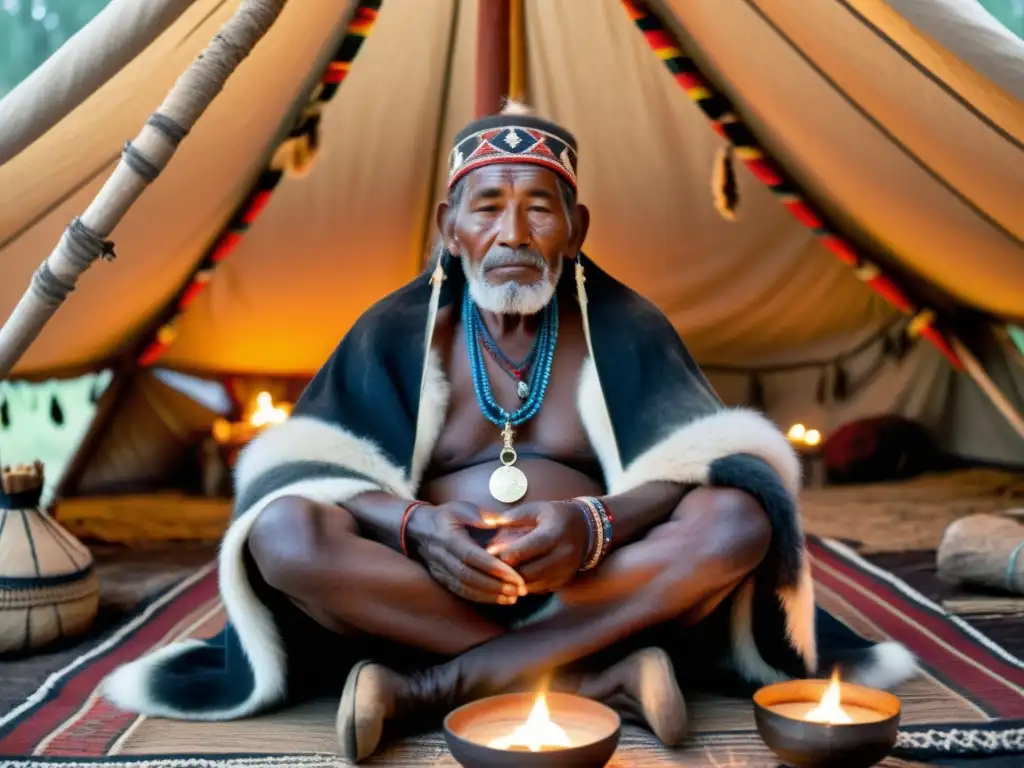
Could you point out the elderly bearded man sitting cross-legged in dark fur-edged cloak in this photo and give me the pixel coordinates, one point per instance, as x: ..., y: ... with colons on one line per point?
x: 510, y: 475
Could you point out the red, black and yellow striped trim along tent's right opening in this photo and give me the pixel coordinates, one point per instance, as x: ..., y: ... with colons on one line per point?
x: 728, y: 123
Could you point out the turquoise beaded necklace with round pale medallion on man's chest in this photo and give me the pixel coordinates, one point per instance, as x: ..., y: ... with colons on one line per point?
x: 508, y: 484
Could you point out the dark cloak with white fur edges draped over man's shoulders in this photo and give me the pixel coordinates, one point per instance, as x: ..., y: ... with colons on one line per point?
x: 370, y: 420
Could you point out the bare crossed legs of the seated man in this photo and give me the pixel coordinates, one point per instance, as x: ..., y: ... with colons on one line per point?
x: 678, y: 573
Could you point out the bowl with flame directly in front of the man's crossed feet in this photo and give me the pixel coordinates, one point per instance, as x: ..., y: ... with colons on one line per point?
x: 533, y: 731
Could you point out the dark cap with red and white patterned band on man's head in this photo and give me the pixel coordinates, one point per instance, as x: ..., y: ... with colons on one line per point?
x: 514, y: 139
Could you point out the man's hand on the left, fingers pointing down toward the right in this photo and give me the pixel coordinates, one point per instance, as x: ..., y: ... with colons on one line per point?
x: 440, y: 537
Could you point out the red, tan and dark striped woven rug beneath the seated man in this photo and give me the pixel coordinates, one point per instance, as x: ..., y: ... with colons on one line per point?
x: 969, y: 702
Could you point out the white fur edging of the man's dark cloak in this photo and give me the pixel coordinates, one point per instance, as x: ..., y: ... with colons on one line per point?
x: 298, y: 457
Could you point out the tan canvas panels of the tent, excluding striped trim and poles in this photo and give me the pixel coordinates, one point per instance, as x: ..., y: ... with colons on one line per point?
x: 908, y: 133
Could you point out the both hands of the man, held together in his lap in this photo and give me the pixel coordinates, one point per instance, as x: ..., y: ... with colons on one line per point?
x: 535, y: 548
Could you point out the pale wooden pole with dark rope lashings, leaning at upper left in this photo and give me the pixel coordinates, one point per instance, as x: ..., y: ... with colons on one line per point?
x: 143, y: 161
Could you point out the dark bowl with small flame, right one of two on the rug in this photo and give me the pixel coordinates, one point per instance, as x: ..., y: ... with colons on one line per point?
x: 813, y: 723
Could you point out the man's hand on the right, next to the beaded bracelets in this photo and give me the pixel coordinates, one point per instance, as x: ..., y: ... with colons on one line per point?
x: 552, y: 547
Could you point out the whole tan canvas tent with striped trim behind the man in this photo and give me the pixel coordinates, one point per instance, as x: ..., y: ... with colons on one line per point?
x: 875, y: 263
